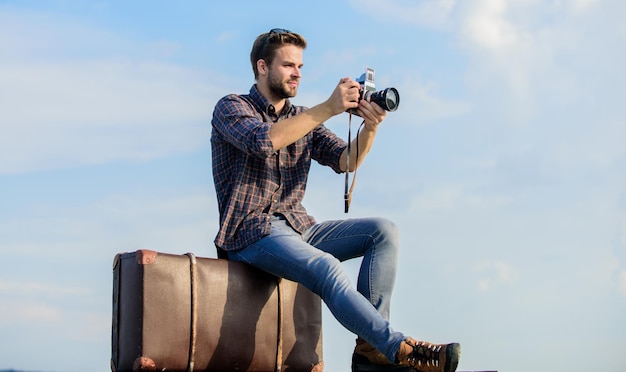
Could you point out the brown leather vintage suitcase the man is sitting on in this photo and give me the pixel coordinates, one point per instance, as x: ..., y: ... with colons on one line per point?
x: 183, y: 313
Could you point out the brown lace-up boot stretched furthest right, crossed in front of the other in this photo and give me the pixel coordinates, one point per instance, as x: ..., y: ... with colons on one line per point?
x: 426, y: 357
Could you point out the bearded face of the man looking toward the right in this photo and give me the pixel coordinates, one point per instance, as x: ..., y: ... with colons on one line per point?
x: 283, y: 76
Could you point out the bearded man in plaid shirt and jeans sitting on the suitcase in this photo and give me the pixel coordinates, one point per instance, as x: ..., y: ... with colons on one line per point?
x: 262, y: 147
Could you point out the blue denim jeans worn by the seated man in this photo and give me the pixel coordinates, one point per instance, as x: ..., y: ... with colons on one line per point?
x: 314, y: 260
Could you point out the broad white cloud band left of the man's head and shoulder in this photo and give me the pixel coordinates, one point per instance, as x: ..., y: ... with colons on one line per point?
x: 73, y: 113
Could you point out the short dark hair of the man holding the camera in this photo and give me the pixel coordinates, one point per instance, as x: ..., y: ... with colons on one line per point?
x: 266, y: 44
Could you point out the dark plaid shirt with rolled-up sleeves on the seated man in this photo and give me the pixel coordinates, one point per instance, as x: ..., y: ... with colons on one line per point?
x: 252, y: 181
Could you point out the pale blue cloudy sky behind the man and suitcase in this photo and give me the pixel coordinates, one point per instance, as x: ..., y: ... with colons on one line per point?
x: 504, y: 167
